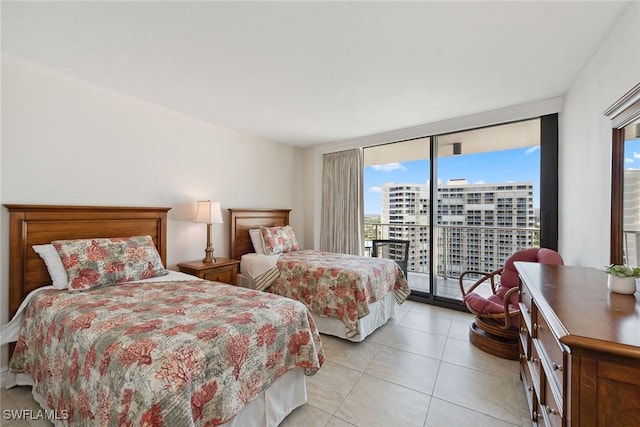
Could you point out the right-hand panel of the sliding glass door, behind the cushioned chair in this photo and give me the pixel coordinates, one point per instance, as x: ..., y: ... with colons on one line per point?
x: 488, y: 190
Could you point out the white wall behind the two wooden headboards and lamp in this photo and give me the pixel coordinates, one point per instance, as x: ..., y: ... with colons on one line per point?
x: 68, y: 142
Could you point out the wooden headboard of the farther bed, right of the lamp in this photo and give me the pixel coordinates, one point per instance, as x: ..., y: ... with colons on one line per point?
x: 244, y: 219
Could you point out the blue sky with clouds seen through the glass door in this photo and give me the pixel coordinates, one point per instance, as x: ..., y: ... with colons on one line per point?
x: 517, y: 165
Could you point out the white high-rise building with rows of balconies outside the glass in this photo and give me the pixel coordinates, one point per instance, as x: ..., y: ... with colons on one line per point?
x: 478, y: 225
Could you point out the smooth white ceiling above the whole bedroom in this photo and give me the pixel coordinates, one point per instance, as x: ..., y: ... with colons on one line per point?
x: 307, y: 73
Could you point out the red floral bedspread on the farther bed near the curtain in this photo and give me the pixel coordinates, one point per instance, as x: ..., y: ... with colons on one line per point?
x: 338, y: 285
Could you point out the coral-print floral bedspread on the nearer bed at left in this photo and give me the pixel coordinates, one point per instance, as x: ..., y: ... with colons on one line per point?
x: 164, y: 353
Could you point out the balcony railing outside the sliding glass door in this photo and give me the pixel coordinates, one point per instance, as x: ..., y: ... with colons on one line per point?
x: 458, y: 249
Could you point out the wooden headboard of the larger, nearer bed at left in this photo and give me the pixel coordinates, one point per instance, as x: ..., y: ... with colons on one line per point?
x: 40, y: 224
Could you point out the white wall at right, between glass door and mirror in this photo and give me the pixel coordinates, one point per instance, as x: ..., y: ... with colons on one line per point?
x: 585, y: 144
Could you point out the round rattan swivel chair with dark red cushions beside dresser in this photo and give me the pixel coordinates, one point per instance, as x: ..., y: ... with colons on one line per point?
x: 496, y: 326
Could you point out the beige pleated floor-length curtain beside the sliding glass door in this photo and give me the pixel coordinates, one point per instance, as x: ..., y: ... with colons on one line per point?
x: 342, y: 226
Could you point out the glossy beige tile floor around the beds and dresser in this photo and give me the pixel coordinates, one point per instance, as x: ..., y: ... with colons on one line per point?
x: 417, y: 370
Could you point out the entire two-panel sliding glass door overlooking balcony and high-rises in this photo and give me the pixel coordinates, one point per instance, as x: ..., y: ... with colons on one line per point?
x: 470, y: 209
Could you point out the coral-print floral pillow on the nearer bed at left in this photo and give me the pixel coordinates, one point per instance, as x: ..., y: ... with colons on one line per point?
x: 97, y: 262
